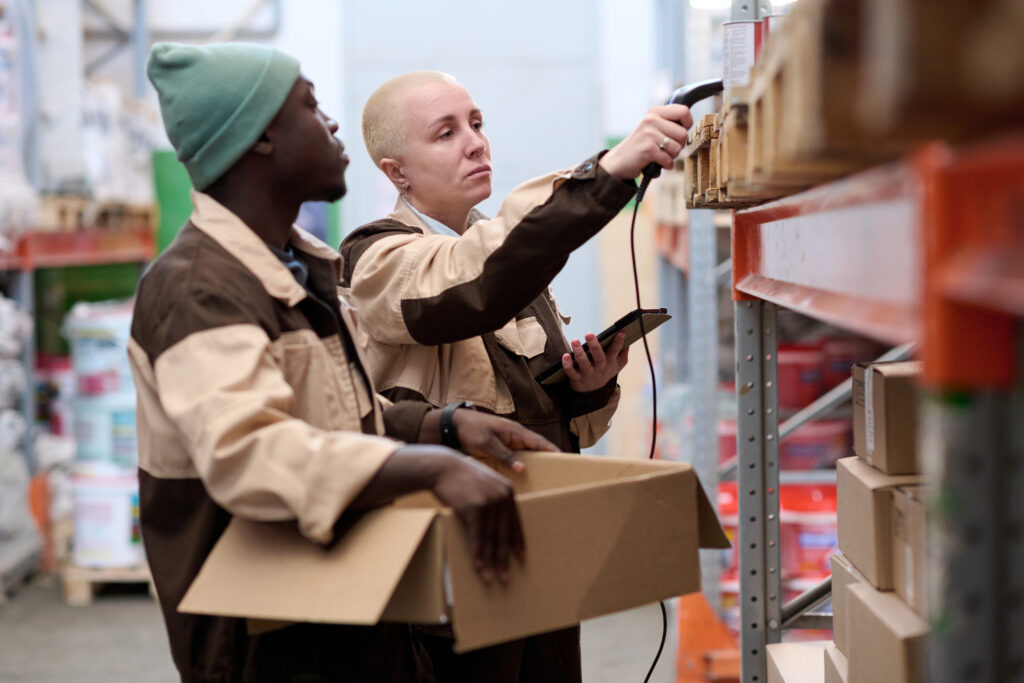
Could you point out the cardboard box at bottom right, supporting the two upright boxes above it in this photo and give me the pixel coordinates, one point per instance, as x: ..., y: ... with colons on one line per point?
x: 888, y: 639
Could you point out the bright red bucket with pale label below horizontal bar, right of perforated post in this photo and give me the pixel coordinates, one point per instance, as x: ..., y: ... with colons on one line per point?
x: 807, y: 517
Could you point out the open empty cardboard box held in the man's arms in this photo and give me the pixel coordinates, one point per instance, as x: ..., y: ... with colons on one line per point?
x: 603, y: 535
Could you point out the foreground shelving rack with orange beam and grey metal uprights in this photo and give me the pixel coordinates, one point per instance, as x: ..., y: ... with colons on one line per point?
x: 928, y: 251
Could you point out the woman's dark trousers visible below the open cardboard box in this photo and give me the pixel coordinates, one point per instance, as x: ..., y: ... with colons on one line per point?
x: 549, y: 658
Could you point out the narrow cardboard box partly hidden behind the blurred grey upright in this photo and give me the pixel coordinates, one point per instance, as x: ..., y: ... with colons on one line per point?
x: 910, y: 548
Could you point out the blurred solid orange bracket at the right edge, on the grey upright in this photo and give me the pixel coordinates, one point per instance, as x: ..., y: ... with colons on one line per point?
x: 972, y: 201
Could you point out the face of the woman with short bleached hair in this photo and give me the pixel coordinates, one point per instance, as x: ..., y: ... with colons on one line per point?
x: 448, y: 158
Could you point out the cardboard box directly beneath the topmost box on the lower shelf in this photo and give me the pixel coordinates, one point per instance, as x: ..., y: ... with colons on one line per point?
x: 866, y: 518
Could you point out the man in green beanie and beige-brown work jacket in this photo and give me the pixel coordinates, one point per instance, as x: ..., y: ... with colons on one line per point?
x: 252, y: 398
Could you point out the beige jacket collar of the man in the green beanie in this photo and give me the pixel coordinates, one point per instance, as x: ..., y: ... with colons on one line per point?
x: 231, y: 233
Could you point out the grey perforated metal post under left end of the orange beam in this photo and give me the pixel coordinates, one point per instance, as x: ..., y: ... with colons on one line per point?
x: 757, y: 399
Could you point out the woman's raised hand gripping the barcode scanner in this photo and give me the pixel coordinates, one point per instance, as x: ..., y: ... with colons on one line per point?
x: 660, y: 139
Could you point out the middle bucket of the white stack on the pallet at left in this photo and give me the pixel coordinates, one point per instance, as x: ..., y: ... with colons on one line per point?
x: 105, y: 429
